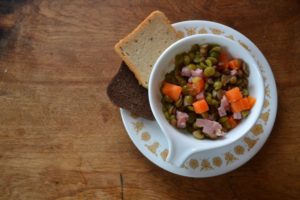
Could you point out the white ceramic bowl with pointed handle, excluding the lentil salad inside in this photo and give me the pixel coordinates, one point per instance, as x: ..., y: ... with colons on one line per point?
x: 182, y: 144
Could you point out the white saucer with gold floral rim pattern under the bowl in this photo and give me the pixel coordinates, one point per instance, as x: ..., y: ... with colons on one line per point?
x: 148, y: 138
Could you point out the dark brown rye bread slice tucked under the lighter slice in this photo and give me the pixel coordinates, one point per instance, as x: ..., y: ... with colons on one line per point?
x: 125, y: 92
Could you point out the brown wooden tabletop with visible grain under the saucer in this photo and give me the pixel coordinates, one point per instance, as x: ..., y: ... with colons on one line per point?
x: 61, y: 137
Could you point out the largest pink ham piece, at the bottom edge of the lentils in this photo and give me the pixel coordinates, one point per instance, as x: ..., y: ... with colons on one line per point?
x: 211, y: 128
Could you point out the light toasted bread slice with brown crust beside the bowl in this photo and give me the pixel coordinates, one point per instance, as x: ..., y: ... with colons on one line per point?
x: 141, y: 48
